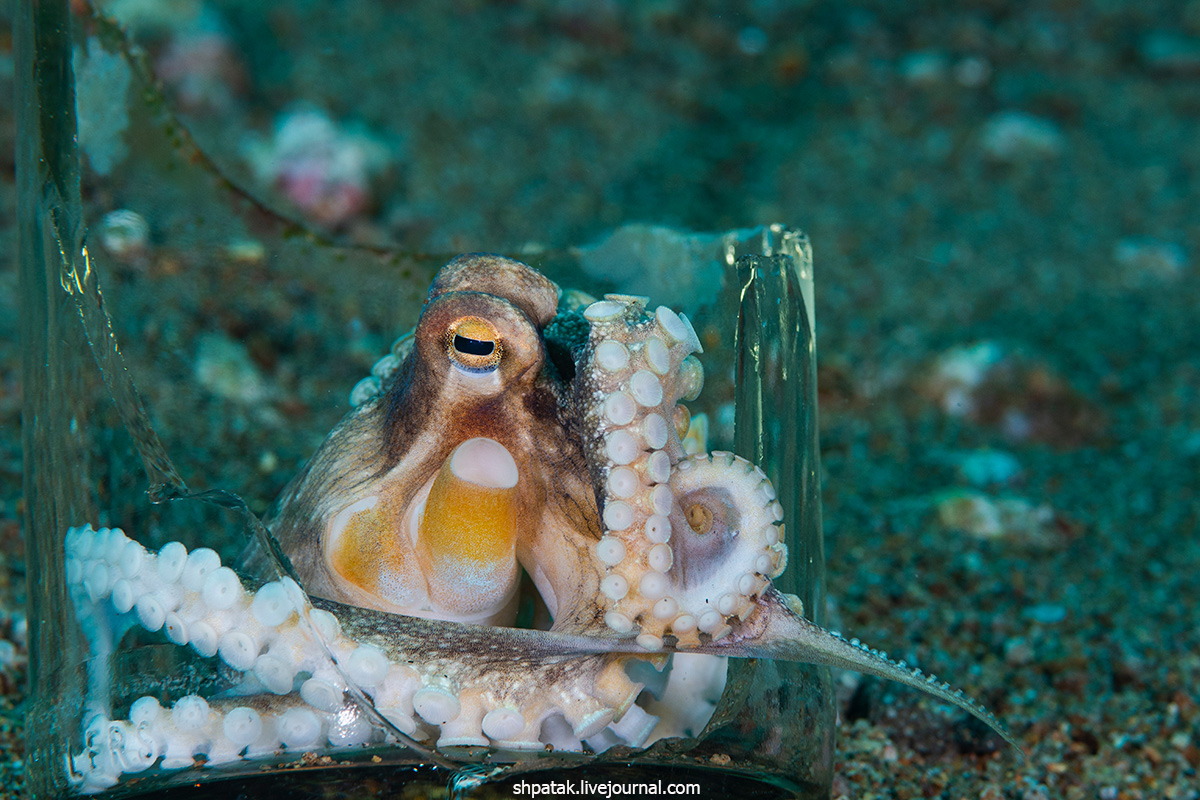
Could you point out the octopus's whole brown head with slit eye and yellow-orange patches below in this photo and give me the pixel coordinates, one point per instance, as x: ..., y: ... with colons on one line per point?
x: 416, y: 503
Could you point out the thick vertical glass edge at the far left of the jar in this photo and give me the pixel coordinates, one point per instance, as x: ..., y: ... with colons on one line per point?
x: 47, y: 227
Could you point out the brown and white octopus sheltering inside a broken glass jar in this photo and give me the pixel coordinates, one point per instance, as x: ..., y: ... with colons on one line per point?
x: 478, y: 558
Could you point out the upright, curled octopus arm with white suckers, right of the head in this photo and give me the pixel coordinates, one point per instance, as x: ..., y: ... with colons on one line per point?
x: 688, y: 543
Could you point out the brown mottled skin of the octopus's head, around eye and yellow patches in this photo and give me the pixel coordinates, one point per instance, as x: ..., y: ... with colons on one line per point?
x: 401, y: 440
